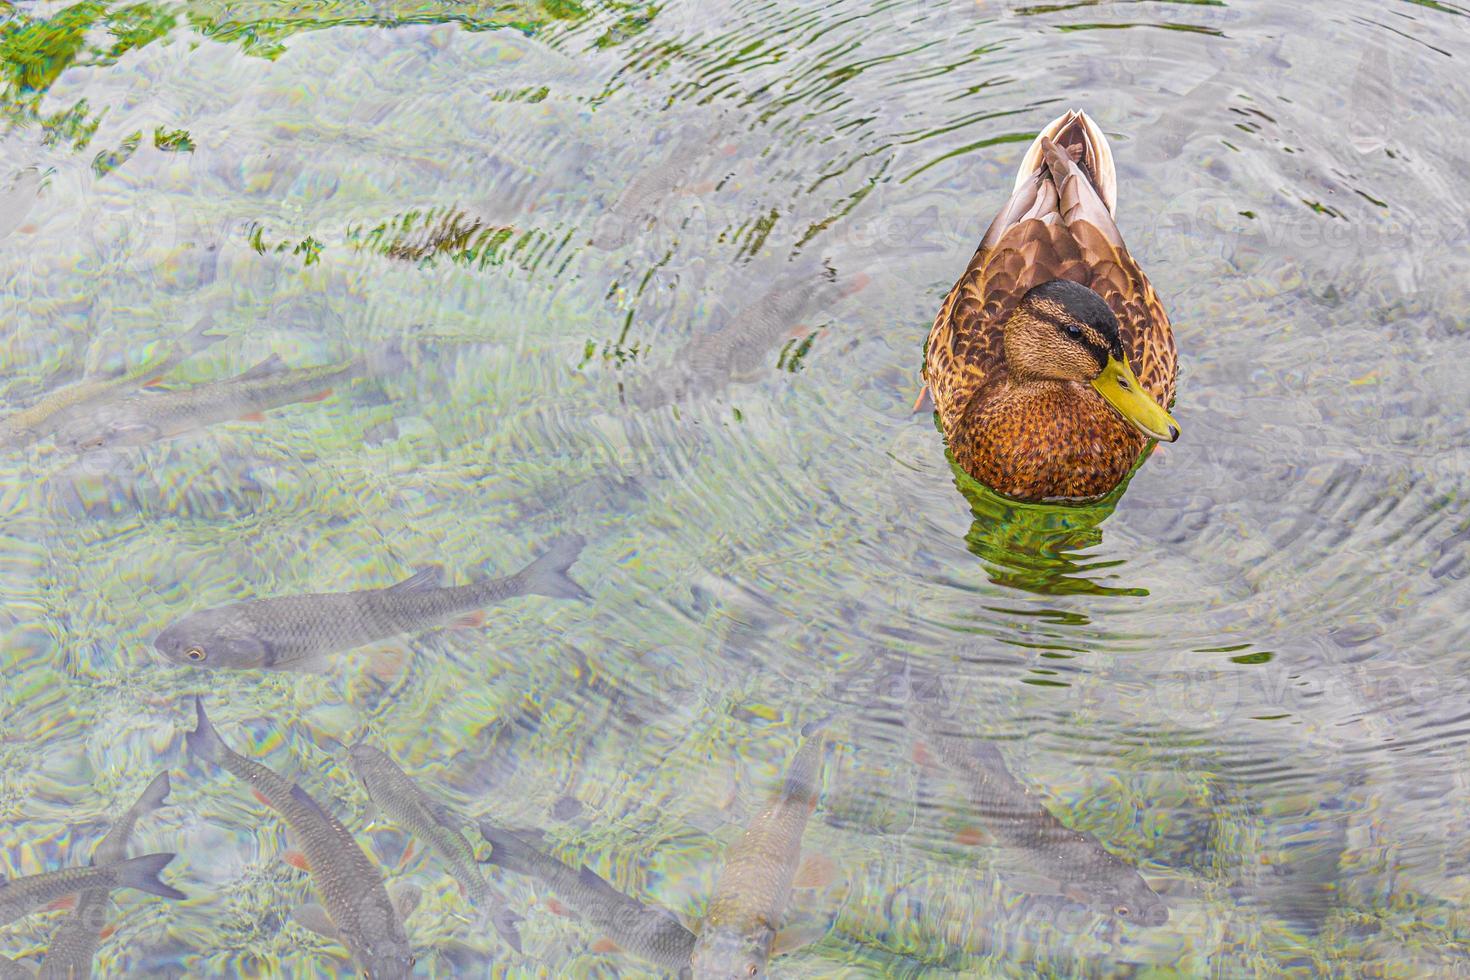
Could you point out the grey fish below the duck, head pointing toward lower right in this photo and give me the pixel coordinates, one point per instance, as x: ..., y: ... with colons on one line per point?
x: 1039, y: 844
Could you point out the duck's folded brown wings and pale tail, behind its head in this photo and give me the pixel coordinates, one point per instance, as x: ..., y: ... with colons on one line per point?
x: 1055, y: 227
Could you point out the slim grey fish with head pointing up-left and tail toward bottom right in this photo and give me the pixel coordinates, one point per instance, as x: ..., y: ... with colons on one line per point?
x: 431, y: 822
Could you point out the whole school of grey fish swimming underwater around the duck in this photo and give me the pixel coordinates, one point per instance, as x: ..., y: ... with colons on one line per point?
x: 364, y: 907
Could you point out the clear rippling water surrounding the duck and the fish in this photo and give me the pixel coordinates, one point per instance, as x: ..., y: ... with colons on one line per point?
x: 1246, y: 677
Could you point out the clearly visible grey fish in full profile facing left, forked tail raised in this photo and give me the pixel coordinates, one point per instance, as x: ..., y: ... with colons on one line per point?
x: 296, y: 633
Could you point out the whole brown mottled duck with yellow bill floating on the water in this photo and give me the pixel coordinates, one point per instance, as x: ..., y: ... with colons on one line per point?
x: 1033, y: 358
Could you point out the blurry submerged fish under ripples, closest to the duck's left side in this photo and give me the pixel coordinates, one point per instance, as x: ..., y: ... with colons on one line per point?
x: 742, y: 350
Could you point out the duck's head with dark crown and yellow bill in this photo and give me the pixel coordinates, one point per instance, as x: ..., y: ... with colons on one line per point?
x: 1064, y: 331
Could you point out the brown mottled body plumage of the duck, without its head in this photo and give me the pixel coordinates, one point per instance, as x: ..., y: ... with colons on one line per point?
x: 1055, y: 227
